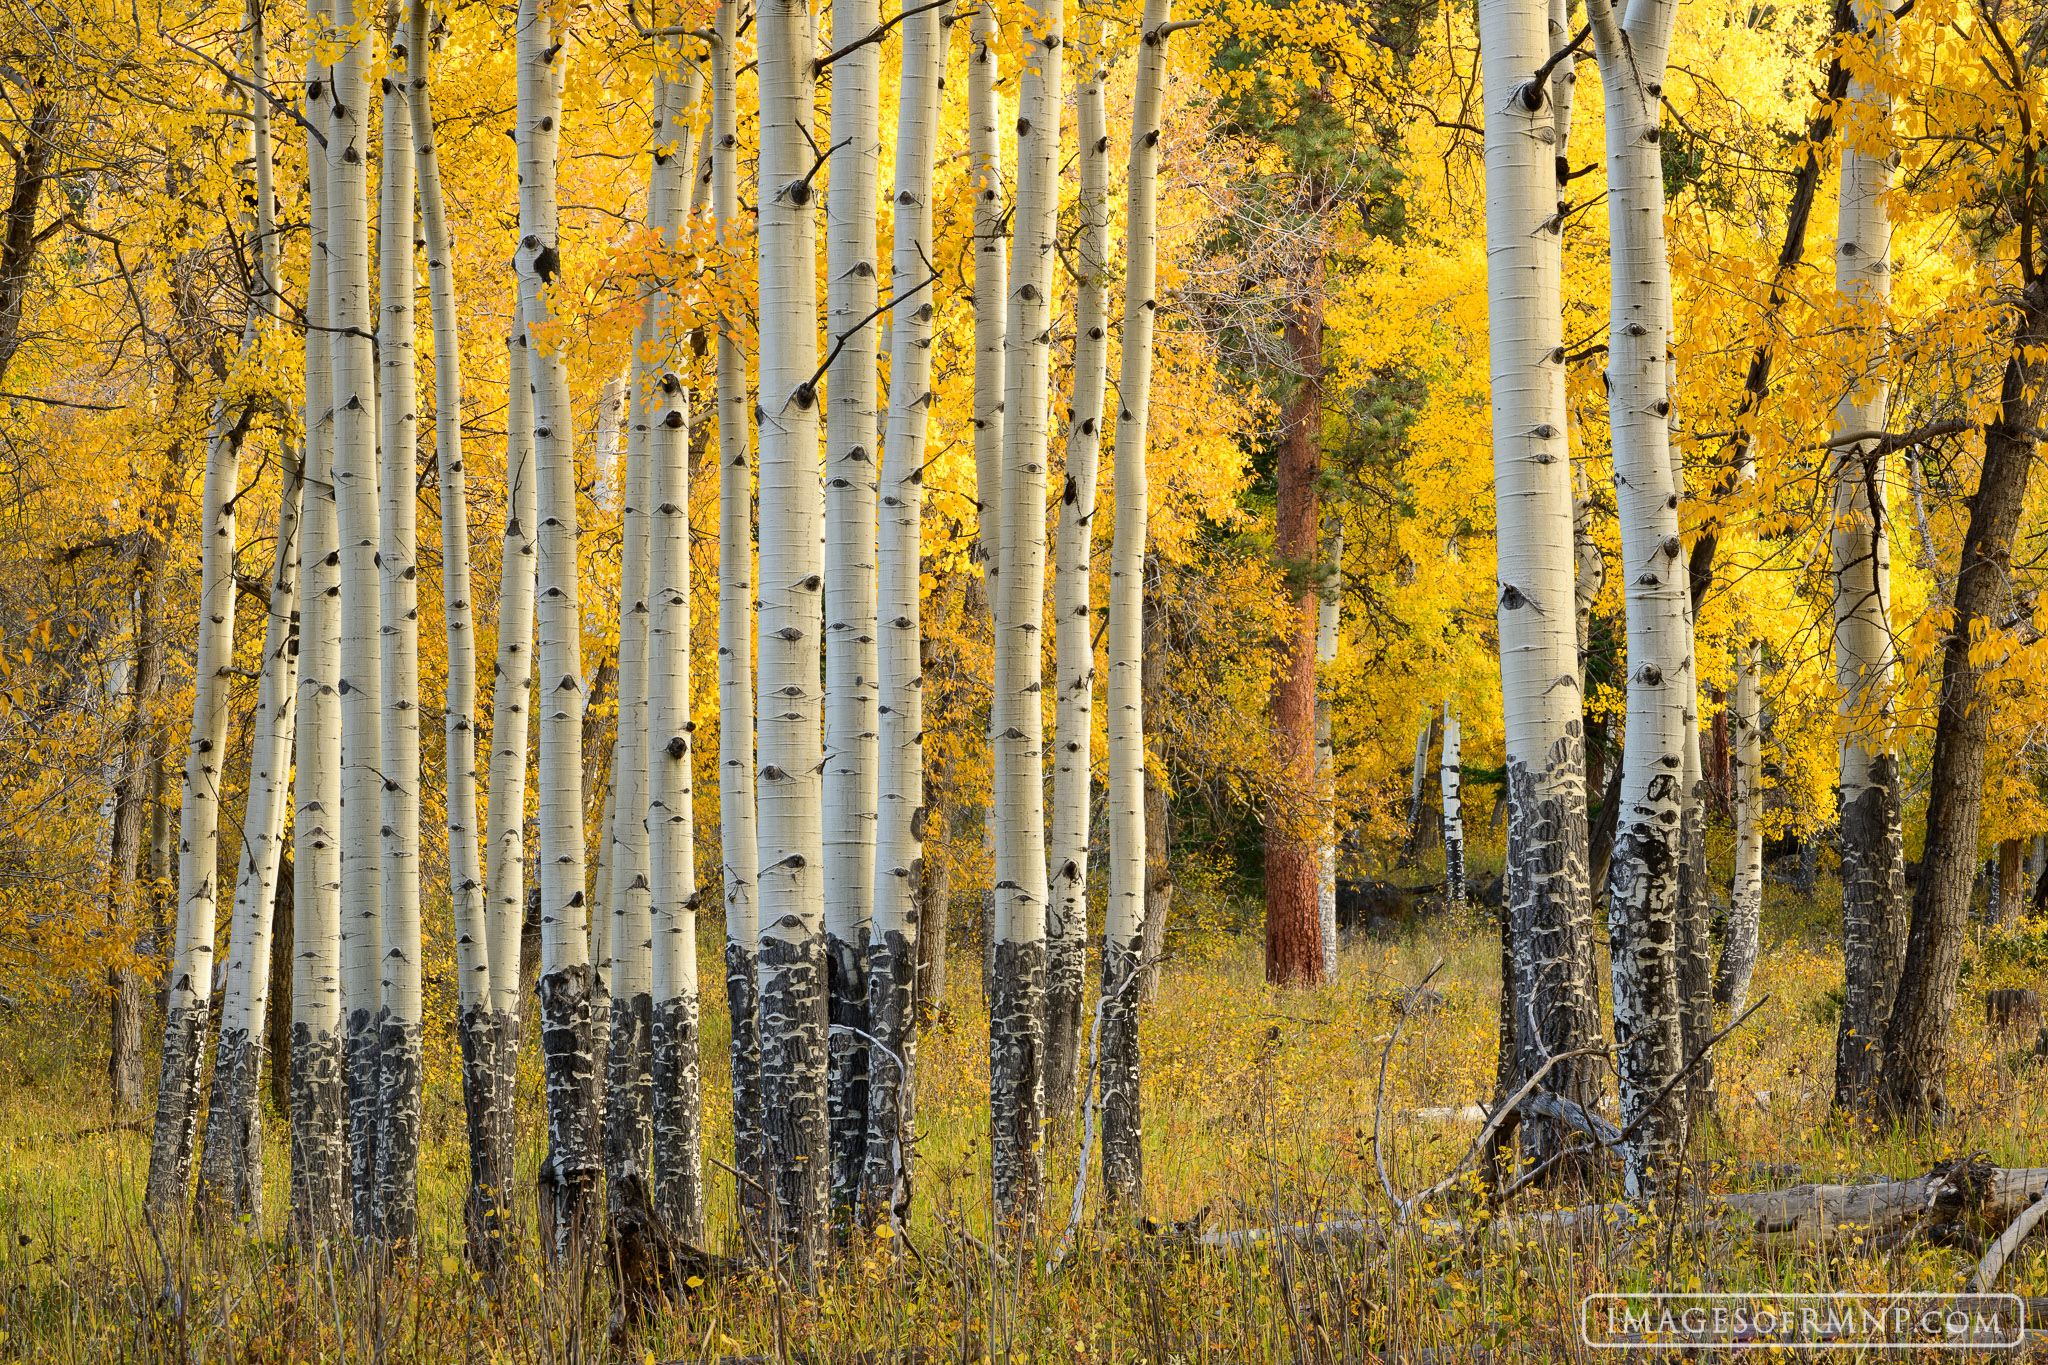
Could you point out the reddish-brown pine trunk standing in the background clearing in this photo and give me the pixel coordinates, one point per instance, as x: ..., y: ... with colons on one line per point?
x: 1293, y: 930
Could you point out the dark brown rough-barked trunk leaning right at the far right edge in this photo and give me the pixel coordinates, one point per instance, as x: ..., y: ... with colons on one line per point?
x: 1922, y: 1020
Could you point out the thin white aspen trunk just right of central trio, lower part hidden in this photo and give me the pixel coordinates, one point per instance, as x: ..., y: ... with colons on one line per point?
x: 992, y: 285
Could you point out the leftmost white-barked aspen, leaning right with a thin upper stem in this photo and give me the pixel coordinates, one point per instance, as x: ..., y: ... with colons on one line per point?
x: 200, y: 813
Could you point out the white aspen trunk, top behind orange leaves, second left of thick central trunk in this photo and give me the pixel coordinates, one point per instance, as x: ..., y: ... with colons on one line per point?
x: 679, y: 1172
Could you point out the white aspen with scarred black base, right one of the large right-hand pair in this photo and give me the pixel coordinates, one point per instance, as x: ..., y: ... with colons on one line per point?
x: 1646, y: 895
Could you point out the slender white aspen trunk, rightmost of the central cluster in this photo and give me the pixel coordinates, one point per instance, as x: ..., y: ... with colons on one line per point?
x: 1123, y: 922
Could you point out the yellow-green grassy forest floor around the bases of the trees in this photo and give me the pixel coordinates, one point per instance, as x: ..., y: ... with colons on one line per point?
x: 1261, y: 1110
